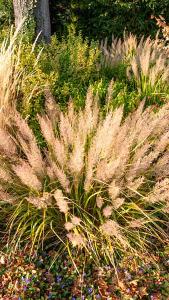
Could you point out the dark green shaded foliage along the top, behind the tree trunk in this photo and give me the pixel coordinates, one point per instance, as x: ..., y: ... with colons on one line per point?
x: 99, y: 18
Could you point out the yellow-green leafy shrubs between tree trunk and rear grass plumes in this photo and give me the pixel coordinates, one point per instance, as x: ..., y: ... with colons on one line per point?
x: 67, y: 67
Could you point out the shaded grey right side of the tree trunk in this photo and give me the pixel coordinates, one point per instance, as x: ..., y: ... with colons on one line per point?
x: 43, y: 24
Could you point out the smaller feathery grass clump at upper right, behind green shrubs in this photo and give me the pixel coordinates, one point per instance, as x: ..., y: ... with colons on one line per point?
x: 146, y: 62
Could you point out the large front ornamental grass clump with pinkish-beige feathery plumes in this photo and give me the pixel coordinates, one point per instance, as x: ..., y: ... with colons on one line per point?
x: 101, y: 183
